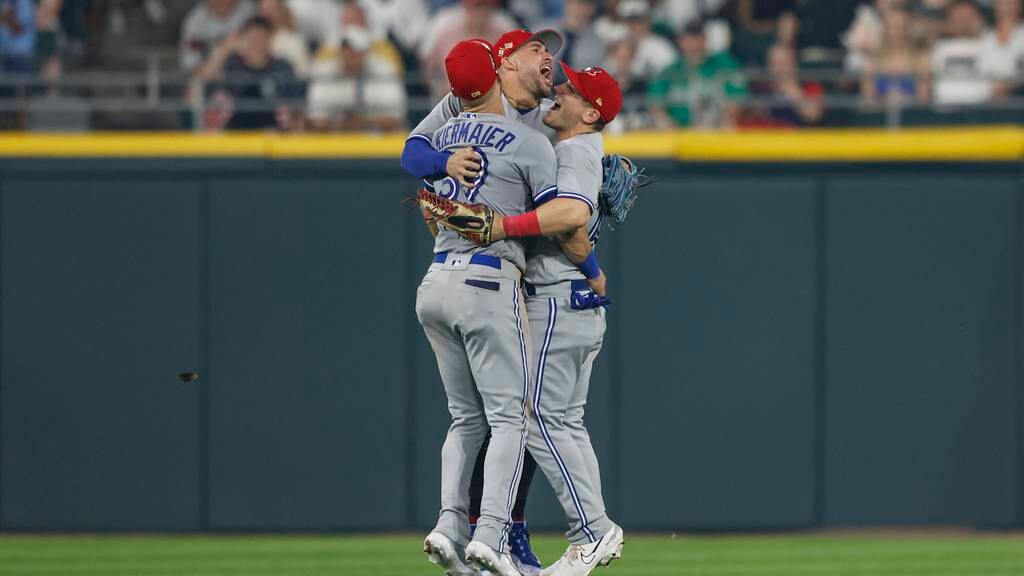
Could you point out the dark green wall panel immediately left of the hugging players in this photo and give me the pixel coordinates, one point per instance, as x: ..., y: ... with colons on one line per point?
x: 310, y: 310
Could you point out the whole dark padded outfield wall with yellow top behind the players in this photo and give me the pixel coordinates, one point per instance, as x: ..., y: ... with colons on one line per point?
x: 809, y: 330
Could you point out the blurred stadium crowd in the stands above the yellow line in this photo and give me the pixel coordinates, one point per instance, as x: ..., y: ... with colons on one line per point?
x: 377, y: 65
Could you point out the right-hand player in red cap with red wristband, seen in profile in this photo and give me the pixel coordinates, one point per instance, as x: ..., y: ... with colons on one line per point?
x: 563, y: 307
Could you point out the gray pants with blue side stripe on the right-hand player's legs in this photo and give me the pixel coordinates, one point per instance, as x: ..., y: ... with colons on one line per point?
x: 564, y: 339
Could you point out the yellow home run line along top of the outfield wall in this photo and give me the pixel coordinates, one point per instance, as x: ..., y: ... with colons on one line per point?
x: 925, y: 145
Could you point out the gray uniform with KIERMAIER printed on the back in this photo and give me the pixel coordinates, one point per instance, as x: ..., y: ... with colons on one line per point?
x: 473, y: 310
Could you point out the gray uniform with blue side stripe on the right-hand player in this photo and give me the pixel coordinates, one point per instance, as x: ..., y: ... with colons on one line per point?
x: 567, y: 340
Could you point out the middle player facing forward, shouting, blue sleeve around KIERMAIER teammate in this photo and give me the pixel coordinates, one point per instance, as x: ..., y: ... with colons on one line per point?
x: 526, y: 62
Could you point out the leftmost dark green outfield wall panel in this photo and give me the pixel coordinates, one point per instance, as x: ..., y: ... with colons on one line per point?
x: 101, y: 314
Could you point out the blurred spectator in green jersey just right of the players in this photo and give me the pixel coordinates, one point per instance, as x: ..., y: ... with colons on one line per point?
x: 699, y: 90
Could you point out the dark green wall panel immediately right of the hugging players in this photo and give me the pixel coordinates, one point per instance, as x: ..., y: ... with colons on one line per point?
x: 717, y: 336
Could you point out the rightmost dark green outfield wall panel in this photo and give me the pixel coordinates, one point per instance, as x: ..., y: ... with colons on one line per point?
x: 922, y: 350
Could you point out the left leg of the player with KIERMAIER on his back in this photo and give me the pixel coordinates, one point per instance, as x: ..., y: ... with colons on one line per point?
x: 446, y: 545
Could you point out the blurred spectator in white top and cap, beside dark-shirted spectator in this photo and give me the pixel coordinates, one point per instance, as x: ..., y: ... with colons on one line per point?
x: 358, y: 87
